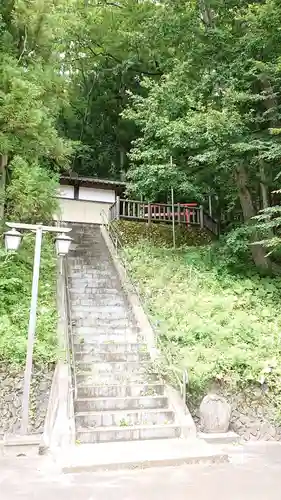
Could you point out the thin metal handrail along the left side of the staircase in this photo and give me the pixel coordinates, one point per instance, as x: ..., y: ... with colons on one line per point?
x: 69, y: 341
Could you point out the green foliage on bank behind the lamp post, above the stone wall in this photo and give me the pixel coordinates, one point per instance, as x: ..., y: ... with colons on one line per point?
x: 15, y: 291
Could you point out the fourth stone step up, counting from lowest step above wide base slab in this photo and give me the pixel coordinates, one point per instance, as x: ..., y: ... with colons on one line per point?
x: 120, y: 391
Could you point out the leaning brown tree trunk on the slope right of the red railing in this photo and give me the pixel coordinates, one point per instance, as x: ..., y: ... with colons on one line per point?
x: 258, y: 252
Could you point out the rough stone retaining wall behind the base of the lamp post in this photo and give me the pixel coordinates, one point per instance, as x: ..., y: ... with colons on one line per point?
x: 11, y: 389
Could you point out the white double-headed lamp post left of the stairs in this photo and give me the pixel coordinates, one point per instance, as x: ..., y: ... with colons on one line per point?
x: 12, y: 242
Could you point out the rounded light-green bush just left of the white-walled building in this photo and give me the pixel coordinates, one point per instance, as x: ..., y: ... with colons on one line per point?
x: 31, y: 193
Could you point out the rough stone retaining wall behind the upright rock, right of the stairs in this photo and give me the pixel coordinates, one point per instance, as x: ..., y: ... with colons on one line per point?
x: 252, y: 416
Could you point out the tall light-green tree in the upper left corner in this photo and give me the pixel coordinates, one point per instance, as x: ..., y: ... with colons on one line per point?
x: 32, y: 89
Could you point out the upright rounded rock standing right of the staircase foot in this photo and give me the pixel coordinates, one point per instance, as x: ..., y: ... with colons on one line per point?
x: 215, y: 413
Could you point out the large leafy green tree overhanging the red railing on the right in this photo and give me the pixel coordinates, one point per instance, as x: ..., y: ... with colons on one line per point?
x: 217, y: 109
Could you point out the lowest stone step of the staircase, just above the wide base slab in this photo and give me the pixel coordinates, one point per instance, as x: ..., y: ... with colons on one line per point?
x: 138, y: 432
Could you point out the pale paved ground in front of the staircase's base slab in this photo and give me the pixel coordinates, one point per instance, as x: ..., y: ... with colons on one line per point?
x: 254, y: 473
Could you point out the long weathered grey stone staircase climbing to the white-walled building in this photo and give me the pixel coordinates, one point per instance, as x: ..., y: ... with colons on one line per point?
x: 119, y: 398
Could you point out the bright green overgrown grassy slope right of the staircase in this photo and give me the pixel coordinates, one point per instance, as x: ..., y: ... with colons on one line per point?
x: 224, y: 327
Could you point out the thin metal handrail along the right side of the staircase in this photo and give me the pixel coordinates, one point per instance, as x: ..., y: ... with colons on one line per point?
x: 115, y: 237
